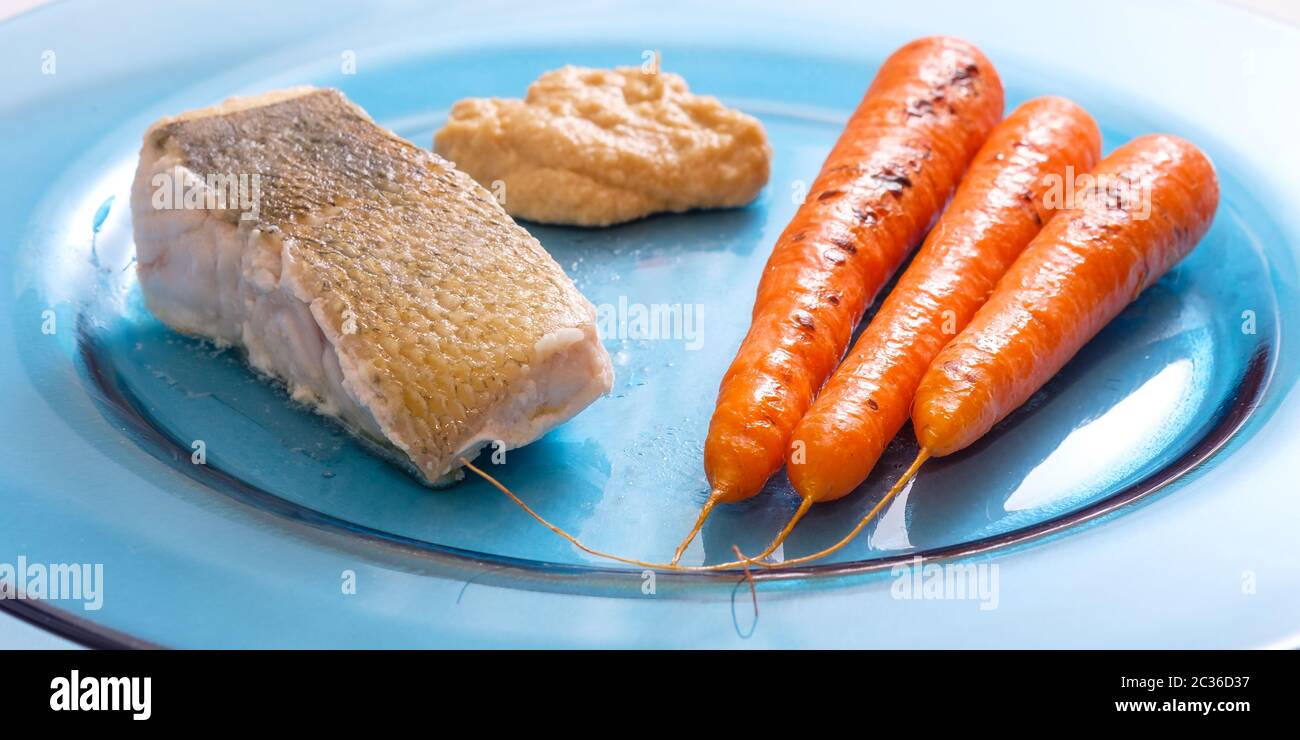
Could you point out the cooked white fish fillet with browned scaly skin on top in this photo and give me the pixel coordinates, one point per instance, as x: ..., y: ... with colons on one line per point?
x: 382, y: 285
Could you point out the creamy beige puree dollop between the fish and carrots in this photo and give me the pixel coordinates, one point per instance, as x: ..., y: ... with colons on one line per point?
x: 595, y: 148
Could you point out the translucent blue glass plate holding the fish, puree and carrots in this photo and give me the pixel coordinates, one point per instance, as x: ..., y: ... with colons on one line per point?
x: 1139, y: 500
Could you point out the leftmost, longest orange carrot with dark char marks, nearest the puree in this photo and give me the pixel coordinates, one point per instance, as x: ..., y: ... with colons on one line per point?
x: 898, y: 162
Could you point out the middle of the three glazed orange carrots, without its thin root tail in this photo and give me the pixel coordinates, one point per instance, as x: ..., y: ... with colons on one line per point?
x: 998, y: 210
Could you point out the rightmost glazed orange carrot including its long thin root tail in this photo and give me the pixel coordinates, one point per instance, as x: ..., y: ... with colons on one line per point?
x: 1134, y: 217
